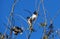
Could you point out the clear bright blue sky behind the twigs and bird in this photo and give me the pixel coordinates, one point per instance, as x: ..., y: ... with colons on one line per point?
x: 52, y: 7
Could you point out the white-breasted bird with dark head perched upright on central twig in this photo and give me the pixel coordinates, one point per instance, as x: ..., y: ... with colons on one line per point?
x: 32, y: 19
